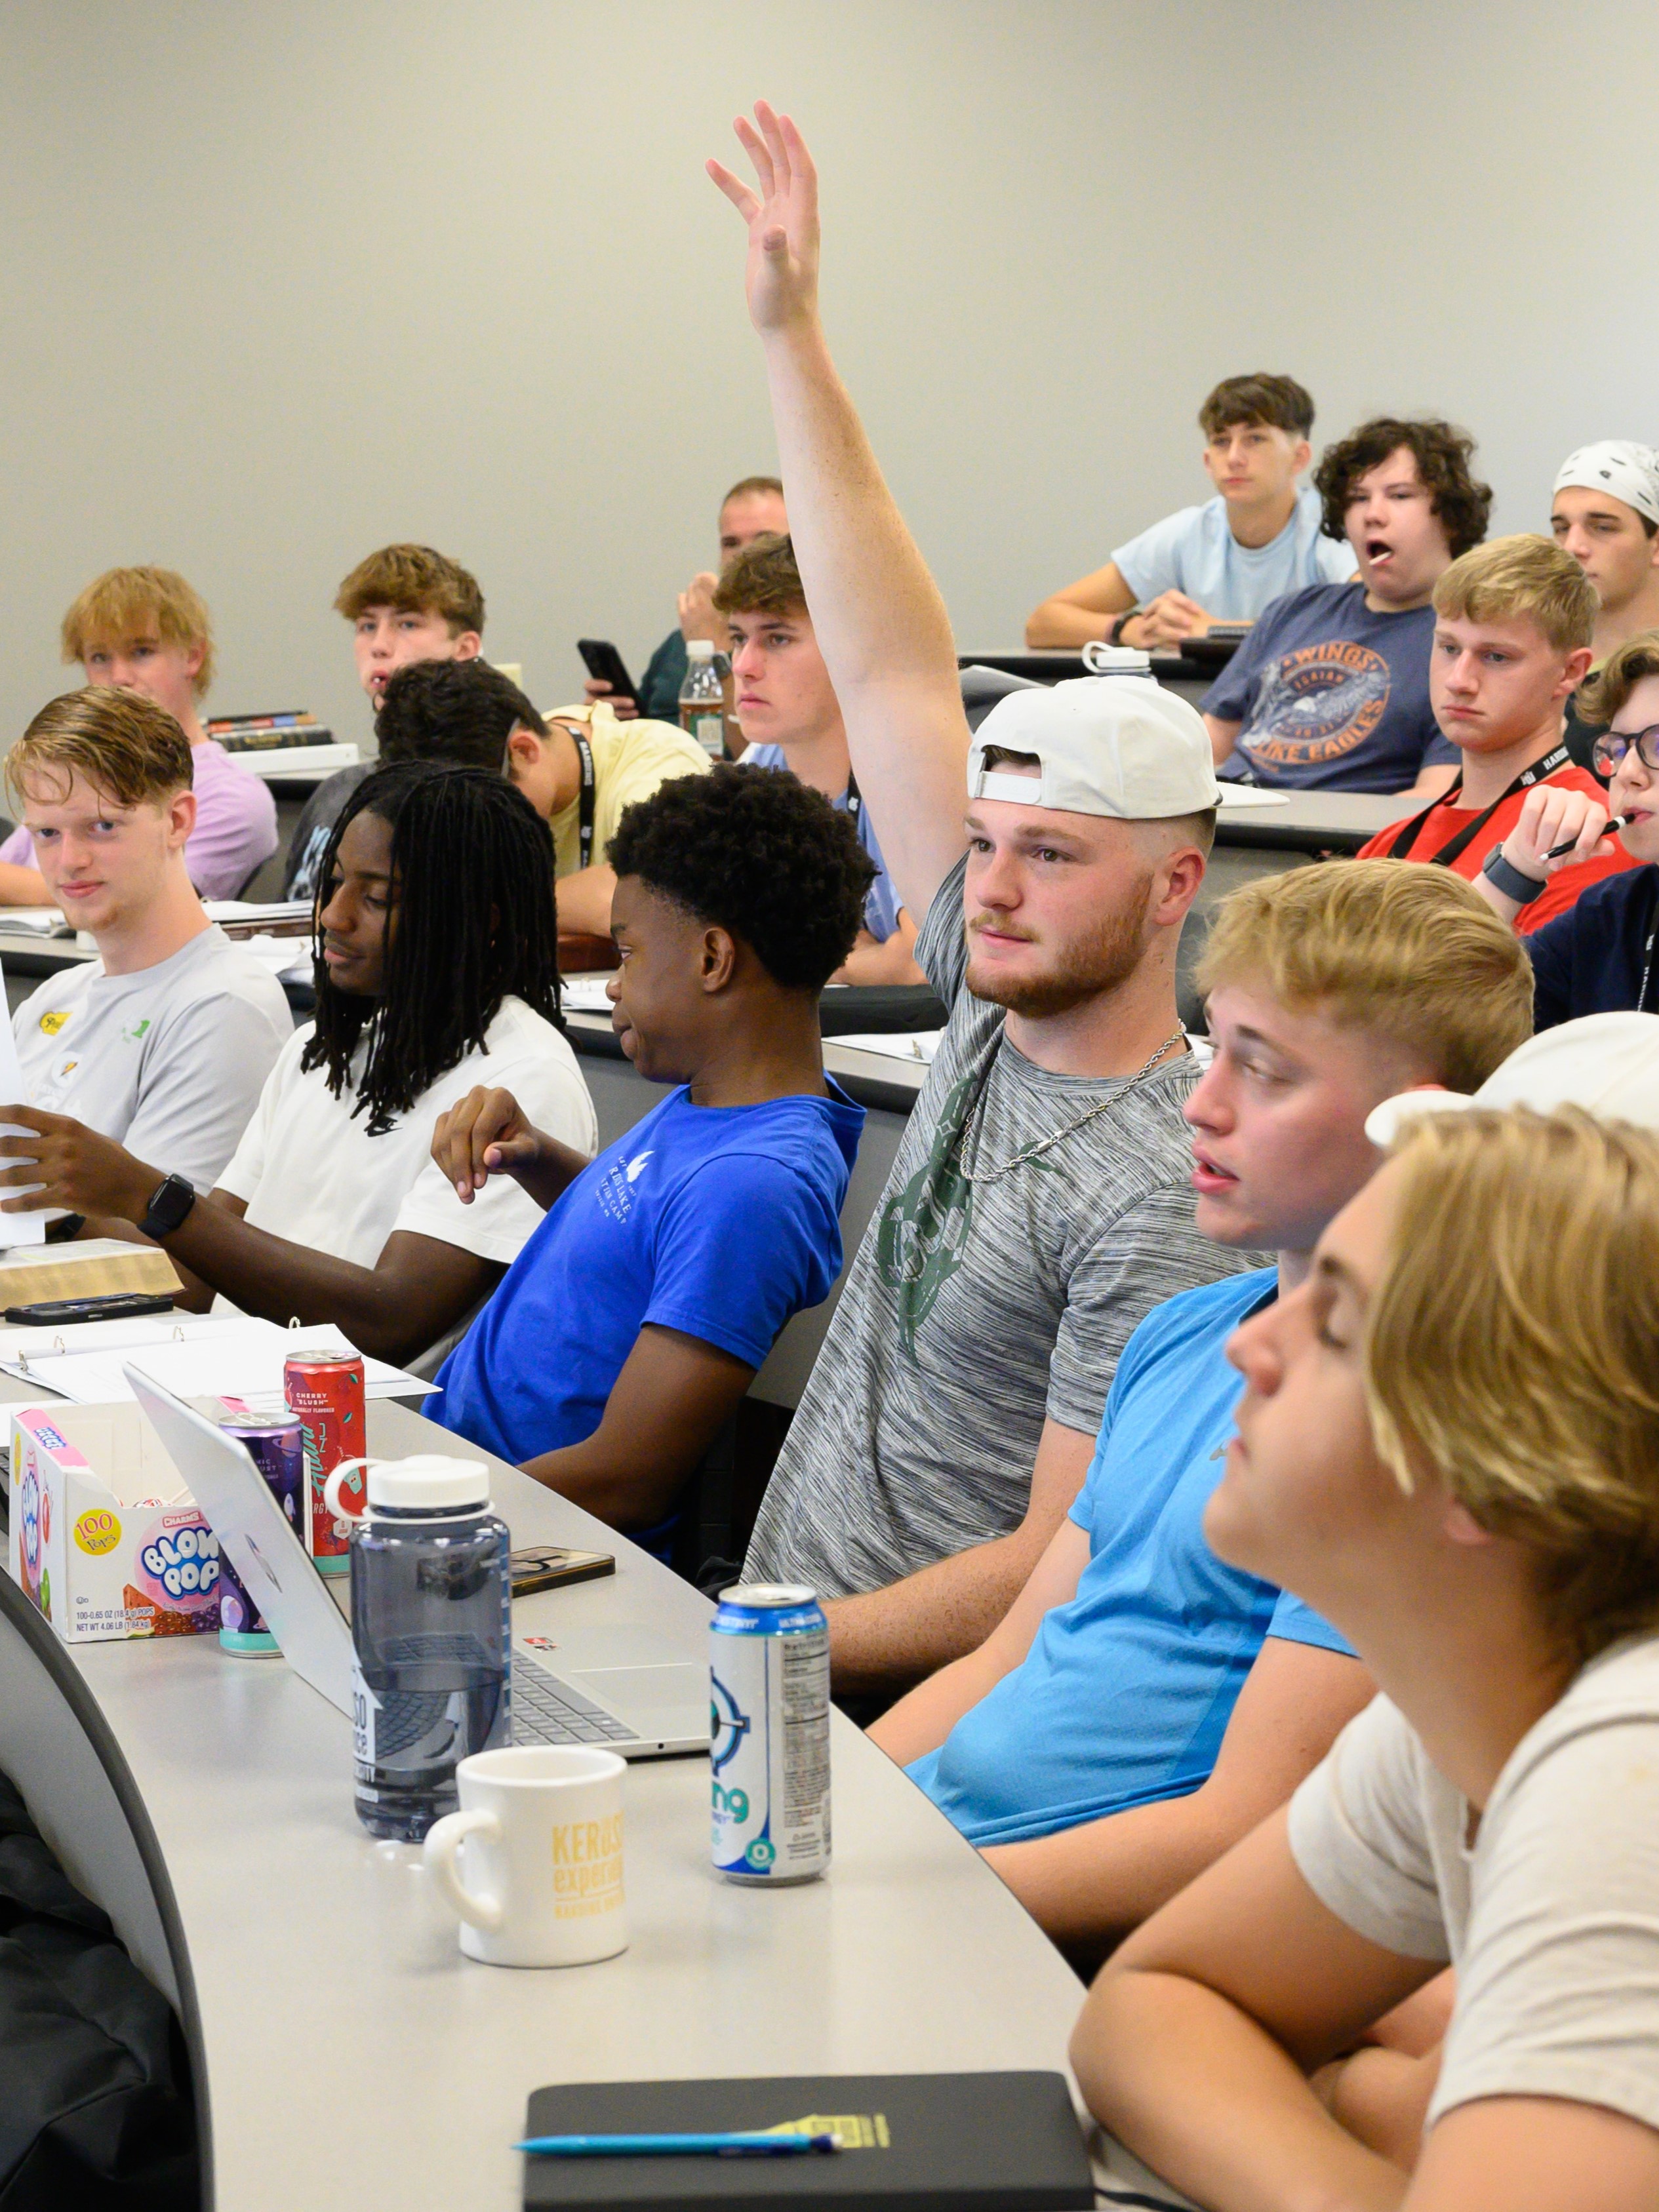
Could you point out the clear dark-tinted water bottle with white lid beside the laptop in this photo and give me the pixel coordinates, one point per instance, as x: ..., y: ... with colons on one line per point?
x: 432, y: 1636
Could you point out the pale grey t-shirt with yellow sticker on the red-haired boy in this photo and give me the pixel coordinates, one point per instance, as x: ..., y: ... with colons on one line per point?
x: 167, y: 1061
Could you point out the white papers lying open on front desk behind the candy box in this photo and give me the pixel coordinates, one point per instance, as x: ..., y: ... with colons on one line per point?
x: 238, y: 1359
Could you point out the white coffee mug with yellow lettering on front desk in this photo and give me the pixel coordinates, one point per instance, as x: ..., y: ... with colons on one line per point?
x: 541, y: 1835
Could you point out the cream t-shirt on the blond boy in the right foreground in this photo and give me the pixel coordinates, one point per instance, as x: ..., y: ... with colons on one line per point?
x: 1552, y: 1919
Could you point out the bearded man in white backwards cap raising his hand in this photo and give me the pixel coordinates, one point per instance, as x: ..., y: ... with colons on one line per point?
x: 1039, y: 1202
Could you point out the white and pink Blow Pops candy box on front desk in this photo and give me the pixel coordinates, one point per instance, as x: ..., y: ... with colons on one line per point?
x: 105, y: 1536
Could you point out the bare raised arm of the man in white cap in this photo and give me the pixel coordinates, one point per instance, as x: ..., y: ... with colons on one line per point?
x: 875, y: 609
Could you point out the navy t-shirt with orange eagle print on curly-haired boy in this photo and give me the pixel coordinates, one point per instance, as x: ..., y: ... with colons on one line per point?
x: 1333, y: 696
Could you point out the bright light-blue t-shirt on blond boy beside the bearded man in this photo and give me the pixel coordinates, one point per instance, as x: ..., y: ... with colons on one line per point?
x: 1127, y: 1689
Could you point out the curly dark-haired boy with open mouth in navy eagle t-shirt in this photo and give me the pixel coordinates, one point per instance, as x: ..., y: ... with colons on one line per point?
x: 1331, y: 691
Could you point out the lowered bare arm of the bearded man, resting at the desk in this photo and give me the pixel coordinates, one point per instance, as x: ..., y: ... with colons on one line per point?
x: 890, y: 1638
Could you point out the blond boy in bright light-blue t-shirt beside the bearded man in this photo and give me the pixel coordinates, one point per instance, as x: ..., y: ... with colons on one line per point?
x: 1145, y: 1704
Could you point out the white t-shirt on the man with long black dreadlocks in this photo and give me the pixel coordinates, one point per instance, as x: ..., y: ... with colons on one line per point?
x: 309, y: 1169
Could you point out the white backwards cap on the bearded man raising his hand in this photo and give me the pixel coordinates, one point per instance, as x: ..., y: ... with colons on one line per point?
x: 1116, y: 744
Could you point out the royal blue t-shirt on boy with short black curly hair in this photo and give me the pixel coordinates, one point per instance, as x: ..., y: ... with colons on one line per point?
x: 711, y: 1220
